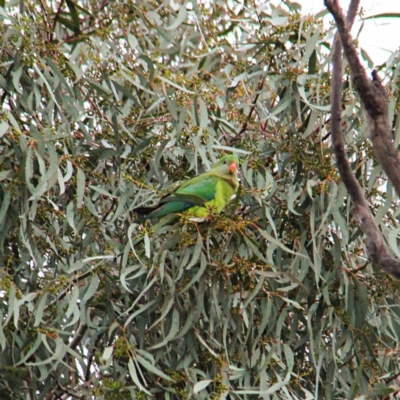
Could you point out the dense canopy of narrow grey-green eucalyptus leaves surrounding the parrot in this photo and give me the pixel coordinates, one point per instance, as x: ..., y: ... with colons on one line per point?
x: 105, y: 106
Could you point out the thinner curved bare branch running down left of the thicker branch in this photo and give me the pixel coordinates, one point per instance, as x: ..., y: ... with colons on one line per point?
x: 375, y: 245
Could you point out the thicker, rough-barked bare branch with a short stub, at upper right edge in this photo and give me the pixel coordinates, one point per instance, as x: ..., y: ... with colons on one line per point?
x: 374, y: 100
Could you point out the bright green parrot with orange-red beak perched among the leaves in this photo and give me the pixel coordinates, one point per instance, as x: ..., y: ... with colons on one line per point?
x: 214, y: 188
